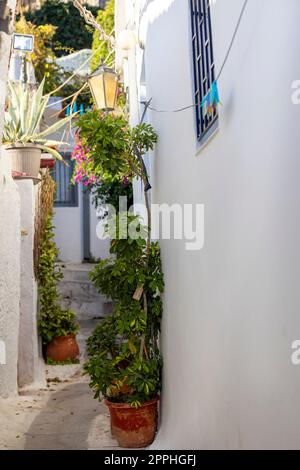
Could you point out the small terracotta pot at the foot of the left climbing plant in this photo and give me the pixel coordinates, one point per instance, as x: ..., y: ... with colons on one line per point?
x: 63, y: 348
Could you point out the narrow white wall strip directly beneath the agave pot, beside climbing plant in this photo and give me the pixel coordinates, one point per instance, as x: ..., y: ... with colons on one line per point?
x: 31, y: 369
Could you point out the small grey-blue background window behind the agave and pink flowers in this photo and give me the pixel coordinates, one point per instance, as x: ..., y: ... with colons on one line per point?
x: 66, y: 192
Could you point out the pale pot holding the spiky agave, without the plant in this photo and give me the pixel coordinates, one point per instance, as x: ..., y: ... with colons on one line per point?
x: 25, y: 158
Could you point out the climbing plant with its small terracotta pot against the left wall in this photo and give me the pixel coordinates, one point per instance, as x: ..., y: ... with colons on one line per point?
x: 56, y: 326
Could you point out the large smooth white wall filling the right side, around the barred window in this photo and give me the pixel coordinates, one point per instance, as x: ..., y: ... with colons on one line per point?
x: 231, y: 311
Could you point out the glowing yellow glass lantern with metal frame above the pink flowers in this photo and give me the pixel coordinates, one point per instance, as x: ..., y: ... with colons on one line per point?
x: 104, y: 86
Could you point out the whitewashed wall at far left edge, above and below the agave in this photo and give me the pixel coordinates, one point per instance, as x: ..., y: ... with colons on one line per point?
x: 10, y: 235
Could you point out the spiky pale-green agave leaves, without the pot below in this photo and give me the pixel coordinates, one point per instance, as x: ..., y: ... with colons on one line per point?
x: 23, y: 118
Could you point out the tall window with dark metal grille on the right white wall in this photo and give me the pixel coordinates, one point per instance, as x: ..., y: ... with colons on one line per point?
x: 204, y: 66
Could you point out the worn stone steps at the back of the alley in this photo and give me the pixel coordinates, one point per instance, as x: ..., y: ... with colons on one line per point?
x: 78, y: 293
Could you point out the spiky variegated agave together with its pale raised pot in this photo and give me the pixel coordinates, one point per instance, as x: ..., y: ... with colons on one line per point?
x: 22, y: 135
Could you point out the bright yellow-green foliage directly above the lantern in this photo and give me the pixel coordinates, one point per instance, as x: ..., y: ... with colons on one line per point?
x: 106, y: 18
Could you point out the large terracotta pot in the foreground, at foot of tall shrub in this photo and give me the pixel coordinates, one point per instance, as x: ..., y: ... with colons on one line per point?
x: 133, y: 427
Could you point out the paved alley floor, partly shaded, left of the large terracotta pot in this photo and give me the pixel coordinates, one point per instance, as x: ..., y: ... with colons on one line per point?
x: 63, y: 415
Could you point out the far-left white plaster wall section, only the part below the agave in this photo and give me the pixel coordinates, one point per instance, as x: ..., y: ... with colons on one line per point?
x: 10, y: 232
